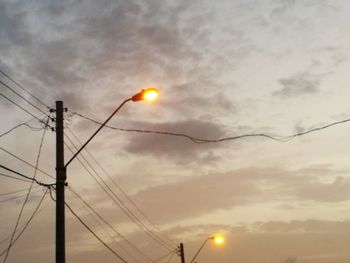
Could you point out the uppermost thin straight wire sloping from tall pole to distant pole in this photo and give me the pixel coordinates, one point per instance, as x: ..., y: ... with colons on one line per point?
x: 120, y: 189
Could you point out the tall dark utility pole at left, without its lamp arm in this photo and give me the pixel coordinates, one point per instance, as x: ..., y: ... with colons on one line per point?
x: 60, y: 184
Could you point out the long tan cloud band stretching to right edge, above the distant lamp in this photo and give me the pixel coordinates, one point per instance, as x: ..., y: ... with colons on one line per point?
x: 201, y: 194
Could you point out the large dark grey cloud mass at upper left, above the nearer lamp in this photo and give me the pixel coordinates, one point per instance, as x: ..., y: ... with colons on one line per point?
x: 113, y: 46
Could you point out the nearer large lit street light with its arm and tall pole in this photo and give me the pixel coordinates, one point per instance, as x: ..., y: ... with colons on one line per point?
x: 148, y: 94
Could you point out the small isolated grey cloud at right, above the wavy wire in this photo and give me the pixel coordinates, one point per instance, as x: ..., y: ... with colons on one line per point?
x: 301, y: 84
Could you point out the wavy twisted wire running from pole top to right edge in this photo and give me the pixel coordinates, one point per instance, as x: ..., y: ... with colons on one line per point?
x: 201, y: 140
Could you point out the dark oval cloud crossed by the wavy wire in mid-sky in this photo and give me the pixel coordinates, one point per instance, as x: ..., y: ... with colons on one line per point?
x: 173, y: 147
